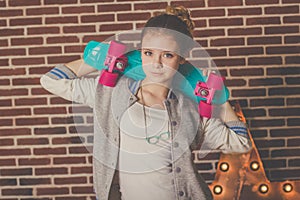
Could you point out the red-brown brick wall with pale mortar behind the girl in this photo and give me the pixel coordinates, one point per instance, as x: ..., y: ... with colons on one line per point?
x: 255, y: 43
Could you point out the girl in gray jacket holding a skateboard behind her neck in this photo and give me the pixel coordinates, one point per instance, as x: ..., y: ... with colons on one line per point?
x: 145, y: 131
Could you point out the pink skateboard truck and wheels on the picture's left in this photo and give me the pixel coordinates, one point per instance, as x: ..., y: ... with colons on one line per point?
x: 115, y: 62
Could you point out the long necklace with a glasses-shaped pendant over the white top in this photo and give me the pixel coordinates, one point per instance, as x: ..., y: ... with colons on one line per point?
x: 156, y: 138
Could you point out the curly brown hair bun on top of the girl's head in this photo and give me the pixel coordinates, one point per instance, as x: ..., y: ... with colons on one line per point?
x: 182, y: 13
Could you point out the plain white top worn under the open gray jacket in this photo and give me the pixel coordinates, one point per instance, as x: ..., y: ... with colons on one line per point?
x: 145, y: 170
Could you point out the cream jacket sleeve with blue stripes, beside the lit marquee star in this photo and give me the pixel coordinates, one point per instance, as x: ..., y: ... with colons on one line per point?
x: 230, y: 137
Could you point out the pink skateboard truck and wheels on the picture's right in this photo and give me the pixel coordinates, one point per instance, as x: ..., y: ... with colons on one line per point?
x: 207, y: 92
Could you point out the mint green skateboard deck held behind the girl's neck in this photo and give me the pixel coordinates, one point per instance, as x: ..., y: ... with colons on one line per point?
x: 95, y: 54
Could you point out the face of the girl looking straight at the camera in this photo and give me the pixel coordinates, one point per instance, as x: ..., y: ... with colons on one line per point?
x: 159, y: 58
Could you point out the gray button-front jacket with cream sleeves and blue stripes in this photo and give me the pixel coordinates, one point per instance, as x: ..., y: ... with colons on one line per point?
x: 188, y: 131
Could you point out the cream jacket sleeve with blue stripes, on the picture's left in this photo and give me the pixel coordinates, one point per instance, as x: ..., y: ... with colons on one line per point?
x: 62, y: 82
